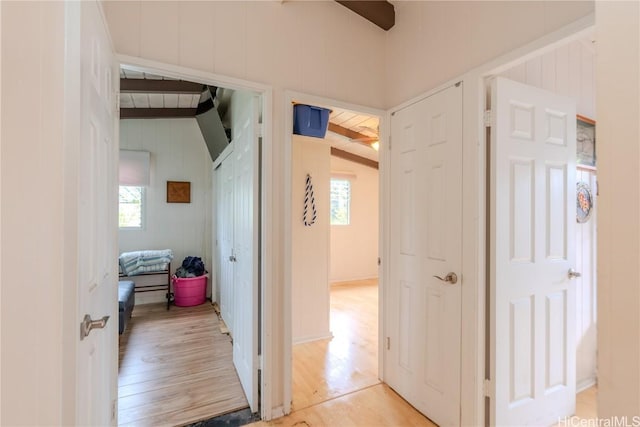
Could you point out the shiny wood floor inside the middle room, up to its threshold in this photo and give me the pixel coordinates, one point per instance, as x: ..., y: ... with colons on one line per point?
x: 329, y: 368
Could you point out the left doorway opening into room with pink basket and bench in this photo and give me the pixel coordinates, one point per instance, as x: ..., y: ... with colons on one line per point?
x: 184, y: 127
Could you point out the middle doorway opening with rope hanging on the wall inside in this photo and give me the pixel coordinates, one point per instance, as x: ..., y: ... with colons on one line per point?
x: 334, y: 258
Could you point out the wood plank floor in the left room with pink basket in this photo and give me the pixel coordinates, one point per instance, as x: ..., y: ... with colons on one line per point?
x: 175, y: 367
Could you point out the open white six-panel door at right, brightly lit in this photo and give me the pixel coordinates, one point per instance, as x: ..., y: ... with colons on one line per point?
x: 533, y: 213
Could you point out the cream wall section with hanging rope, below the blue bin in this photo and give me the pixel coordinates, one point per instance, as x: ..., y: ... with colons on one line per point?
x: 310, y: 245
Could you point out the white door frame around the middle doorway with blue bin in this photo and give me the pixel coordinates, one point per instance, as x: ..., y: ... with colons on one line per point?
x: 289, y: 97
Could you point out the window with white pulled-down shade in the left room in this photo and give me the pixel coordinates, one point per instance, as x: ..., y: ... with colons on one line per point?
x: 134, y: 177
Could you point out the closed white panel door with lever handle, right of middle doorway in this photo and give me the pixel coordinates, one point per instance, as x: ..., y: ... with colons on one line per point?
x: 423, y: 351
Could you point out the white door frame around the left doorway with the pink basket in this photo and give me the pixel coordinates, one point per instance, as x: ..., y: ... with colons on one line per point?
x: 267, y: 253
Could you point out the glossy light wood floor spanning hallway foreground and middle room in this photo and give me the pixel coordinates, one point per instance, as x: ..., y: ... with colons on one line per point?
x: 335, y: 381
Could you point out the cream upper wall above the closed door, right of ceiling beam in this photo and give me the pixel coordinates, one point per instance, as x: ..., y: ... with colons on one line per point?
x: 434, y: 41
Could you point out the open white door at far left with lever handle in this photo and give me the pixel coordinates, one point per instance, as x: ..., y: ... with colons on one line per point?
x: 97, y: 226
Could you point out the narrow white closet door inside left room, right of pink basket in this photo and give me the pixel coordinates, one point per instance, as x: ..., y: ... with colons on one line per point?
x: 225, y: 239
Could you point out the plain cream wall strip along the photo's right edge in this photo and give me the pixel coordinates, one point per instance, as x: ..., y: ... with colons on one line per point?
x: 618, y: 151
